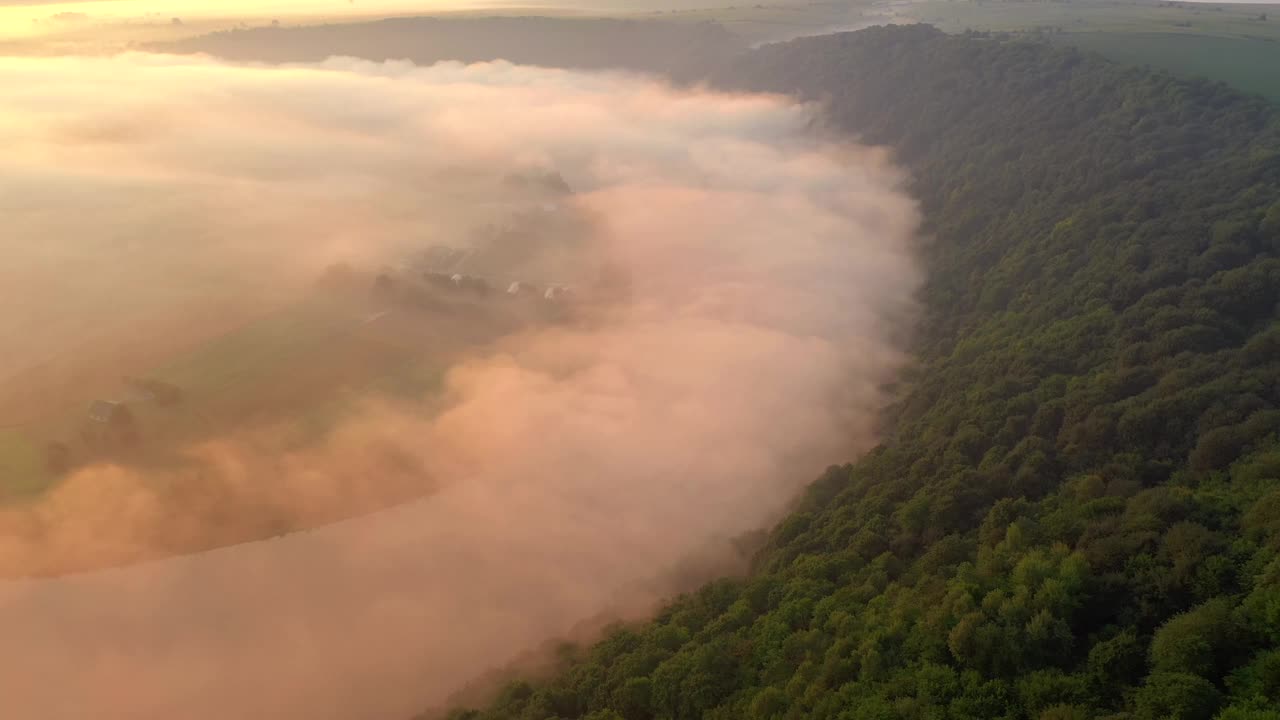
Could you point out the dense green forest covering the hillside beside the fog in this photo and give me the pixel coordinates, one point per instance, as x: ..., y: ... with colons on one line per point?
x: 1076, y: 512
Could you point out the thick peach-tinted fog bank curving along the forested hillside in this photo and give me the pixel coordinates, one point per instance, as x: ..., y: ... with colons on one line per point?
x: 577, y: 471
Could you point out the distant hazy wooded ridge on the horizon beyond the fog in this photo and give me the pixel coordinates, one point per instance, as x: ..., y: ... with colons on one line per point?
x: 673, y: 49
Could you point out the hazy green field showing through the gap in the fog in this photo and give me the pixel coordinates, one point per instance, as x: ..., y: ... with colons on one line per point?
x: 304, y: 367
